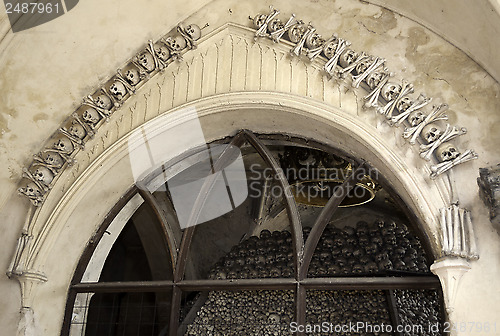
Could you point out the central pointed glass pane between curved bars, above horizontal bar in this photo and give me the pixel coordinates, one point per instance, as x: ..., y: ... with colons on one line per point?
x: 252, y: 240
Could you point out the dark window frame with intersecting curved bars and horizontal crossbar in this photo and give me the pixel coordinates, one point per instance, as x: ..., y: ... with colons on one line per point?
x: 302, y: 250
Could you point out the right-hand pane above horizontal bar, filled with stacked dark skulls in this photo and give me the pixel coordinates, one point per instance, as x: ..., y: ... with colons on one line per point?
x: 367, y: 246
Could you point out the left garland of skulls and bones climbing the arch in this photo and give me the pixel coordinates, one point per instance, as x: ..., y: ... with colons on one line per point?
x: 97, y: 108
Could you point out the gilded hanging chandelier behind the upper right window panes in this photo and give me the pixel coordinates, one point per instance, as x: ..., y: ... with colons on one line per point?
x: 314, y: 175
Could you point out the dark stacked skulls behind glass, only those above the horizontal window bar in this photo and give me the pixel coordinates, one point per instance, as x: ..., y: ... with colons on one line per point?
x: 379, y: 248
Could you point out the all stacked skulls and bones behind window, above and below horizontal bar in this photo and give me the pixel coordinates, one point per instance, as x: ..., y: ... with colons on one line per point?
x: 382, y: 247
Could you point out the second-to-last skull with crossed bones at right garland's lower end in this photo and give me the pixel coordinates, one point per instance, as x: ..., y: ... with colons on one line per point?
x: 435, y: 137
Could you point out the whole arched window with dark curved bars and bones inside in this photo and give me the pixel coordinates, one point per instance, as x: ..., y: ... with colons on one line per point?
x: 265, y: 234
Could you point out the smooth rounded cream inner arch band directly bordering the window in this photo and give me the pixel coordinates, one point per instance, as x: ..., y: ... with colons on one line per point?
x: 61, y: 232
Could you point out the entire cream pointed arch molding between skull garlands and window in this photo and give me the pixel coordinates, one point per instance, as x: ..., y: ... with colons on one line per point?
x: 264, y: 89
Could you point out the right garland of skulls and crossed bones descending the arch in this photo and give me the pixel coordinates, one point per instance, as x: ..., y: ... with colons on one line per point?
x: 388, y: 97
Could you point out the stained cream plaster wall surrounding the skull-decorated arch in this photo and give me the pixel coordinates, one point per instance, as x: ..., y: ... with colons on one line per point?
x: 45, y: 71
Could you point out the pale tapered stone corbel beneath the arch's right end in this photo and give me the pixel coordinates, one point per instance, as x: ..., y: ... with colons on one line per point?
x: 450, y: 271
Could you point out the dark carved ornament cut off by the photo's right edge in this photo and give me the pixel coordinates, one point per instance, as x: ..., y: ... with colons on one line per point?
x: 489, y: 191
